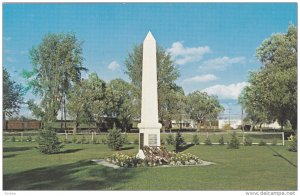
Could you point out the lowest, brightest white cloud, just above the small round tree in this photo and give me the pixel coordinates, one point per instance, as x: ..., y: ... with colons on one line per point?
x: 231, y: 91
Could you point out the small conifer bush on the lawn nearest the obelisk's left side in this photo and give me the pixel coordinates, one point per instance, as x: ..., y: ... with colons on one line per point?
x: 115, y: 139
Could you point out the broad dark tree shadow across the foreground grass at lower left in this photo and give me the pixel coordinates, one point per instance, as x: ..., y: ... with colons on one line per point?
x: 82, y: 175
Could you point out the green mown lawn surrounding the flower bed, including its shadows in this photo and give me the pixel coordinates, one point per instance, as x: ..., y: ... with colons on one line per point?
x: 248, y: 168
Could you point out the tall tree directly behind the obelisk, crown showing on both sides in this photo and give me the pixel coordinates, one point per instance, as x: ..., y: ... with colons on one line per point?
x: 167, y: 73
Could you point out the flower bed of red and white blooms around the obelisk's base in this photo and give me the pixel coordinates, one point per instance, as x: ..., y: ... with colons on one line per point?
x: 154, y: 156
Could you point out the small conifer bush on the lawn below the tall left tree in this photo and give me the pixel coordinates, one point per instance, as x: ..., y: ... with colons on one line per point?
x: 48, y: 142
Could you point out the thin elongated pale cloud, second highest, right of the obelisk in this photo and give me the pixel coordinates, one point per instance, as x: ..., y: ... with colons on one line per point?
x: 221, y: 63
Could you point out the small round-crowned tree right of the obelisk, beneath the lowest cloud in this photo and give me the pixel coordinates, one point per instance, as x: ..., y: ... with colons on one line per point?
x: 202, y: 107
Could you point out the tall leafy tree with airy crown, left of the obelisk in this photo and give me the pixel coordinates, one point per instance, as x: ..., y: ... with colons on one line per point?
x: 57, y: 64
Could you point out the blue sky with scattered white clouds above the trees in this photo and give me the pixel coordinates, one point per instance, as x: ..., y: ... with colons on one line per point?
x: 212, y: 44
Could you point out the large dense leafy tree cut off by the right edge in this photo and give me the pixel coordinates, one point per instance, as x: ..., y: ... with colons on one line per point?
x: 272, y: 93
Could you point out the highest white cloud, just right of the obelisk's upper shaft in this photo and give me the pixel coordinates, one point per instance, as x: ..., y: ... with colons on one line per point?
x: 182, y: 55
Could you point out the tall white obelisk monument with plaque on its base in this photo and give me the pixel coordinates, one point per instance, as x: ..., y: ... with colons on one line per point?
x: 149, y: 126
